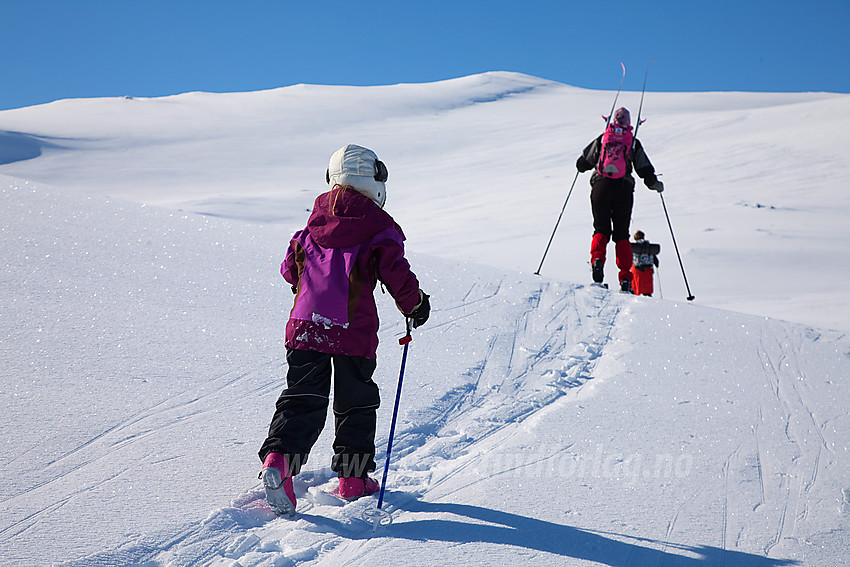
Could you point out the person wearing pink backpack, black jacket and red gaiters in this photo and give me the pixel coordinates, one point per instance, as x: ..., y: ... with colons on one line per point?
x: 614, y: 154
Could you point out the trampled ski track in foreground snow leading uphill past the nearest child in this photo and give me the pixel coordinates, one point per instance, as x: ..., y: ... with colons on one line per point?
x: 548, y: 350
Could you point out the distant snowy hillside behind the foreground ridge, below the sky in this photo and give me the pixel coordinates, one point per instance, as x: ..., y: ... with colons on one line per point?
x: 756, y: 182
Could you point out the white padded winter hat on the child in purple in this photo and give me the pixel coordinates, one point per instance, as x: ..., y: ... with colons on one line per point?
x: 360, y: 168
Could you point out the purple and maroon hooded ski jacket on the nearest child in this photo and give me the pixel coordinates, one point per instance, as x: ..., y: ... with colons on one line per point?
x: 335, y: 263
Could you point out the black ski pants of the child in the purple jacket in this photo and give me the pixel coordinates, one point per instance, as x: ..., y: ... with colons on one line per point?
x: 302, y: 408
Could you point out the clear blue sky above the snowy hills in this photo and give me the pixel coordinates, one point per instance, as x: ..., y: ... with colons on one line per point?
x: 54, y: 49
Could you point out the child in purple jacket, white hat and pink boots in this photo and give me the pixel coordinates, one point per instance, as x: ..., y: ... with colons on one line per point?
x: 333, y: 265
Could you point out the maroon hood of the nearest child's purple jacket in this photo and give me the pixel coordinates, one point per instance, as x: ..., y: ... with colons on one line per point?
x: 344, y: 217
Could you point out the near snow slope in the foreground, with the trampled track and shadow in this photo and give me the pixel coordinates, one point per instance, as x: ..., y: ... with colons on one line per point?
x: 148, y: 360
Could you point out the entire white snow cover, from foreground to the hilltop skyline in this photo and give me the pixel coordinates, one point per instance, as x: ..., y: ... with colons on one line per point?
x: 542, y: 421
